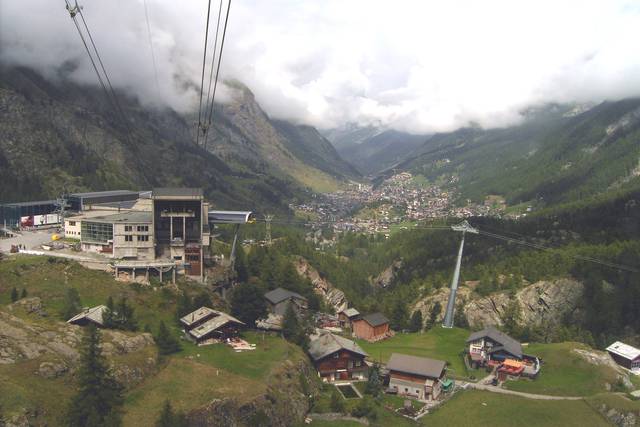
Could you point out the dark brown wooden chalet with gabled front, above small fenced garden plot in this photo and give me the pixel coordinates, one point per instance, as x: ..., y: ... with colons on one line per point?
x: 337, y: 358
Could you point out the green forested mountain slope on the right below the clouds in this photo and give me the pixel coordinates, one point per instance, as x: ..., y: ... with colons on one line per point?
x: 558, y: 154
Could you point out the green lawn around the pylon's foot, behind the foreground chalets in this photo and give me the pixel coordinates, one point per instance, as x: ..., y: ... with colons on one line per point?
x: 437, y: 343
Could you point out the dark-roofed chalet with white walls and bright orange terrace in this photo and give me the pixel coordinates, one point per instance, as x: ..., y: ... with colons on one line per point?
x: 491, y: 347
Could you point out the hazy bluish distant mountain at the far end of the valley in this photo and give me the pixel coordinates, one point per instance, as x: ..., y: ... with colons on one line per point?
x: 381, y: 151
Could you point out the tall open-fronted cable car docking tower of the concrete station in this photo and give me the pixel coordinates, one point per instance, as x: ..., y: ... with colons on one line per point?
x: 181, y: 226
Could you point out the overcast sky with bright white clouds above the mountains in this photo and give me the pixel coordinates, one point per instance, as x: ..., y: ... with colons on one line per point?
x: 418, y: 66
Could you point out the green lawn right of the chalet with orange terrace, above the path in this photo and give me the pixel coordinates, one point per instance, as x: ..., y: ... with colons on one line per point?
x: 564, y: 372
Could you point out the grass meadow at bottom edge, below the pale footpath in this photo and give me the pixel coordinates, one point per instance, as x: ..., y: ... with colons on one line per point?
x: 478, y: 408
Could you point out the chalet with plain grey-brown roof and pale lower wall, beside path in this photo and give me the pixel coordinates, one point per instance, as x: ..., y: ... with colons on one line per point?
x: 414, y: 376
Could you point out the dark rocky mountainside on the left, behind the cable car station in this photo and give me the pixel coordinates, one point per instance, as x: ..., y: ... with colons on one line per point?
x: 60, y: 136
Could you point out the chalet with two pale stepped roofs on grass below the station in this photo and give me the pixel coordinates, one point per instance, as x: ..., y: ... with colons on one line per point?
x: 208, y: 326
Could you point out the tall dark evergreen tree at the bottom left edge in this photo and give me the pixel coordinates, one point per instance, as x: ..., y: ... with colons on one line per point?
x: 99, y: 396
